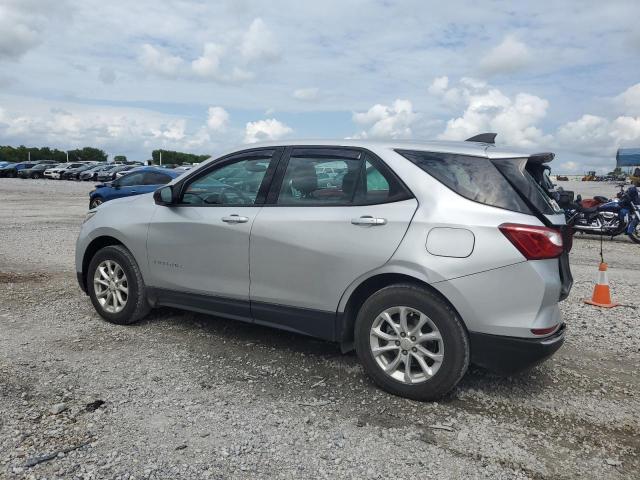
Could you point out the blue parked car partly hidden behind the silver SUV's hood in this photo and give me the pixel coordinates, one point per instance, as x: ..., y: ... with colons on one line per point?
x: 142, y: 180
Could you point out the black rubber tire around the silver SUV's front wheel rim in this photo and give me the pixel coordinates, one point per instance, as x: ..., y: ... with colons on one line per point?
x: 137, y: 305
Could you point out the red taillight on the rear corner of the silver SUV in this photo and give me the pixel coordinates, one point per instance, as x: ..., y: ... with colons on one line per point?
x: 535, y: 243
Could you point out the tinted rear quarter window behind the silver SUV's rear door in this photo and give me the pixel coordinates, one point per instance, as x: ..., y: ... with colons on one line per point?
x: 475, y: 178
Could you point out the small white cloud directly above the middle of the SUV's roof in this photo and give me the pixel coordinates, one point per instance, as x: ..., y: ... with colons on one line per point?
x: 384, y: 121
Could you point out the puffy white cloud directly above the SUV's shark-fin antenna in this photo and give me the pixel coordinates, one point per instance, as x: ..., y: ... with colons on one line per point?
x: 487, y: 109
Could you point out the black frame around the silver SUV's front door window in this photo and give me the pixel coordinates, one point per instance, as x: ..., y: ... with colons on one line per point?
x: 276, y: 156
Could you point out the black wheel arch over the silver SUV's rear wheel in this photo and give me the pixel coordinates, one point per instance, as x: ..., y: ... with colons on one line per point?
x: 346, y: 318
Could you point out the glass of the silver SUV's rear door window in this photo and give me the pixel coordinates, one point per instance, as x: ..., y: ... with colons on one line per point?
x: 319, y: 179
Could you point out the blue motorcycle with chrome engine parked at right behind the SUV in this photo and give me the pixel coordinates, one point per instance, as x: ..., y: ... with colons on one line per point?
x: 610, y: 217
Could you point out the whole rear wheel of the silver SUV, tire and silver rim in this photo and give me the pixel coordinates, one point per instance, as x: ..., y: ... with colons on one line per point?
x: 411, y: 343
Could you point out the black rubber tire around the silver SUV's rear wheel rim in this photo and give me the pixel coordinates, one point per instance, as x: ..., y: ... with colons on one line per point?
x: 454, y: 338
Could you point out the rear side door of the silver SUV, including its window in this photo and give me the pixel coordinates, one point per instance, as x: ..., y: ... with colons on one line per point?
x: 313, y: 239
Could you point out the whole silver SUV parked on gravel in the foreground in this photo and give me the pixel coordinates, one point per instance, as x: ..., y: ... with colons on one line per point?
x: 422, y: 257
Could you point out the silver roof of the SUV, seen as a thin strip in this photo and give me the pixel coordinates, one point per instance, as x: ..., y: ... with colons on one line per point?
x: 460, y: 147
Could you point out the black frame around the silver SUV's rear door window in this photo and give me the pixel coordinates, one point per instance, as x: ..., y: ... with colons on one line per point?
x: 363, y: 155
